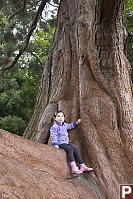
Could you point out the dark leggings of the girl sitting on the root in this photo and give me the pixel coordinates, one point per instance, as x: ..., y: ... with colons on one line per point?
x: 72, y: 152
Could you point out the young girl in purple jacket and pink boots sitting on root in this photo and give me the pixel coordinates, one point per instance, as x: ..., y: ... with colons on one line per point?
x: 59, y: 137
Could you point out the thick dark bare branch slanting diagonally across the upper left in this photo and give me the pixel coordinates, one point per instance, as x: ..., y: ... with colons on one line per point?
x: 32, y: 28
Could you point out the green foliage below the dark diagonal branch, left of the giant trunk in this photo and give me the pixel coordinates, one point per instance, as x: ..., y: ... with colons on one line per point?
x: 18, y: 88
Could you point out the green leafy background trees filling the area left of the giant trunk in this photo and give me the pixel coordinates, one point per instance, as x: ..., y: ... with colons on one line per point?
x: 19, y: 84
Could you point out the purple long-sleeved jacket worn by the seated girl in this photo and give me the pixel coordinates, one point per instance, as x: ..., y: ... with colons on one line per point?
x: 59, y: 134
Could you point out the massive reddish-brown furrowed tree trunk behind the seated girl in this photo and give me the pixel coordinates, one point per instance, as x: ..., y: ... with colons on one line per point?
x: 88, y: 75
